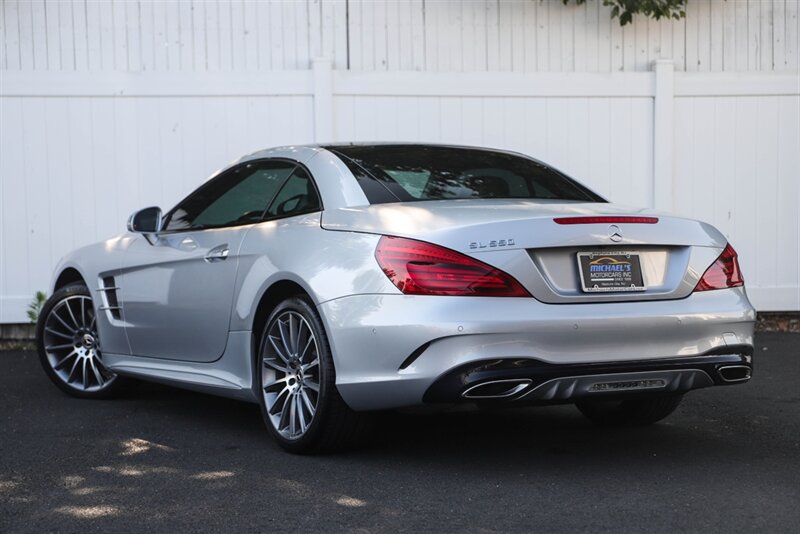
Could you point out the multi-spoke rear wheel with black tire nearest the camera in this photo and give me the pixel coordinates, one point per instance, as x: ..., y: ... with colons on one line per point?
x: 300, y: 404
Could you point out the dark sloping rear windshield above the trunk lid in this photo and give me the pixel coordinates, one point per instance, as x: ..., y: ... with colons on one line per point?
x: 392, y: 173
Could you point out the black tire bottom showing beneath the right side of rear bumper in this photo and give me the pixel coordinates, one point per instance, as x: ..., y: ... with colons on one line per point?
x: 630, y: 412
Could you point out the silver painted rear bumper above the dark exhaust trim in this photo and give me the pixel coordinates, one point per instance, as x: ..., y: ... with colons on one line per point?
x: 390, y: 350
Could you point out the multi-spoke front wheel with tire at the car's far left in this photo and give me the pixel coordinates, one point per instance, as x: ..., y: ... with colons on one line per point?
x: 69, y: 347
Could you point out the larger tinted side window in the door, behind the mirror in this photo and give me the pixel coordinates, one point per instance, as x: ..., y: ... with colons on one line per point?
x: 239, y: 196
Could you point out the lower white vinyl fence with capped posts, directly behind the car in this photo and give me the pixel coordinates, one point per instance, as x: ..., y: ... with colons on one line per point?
x: 93, y: 149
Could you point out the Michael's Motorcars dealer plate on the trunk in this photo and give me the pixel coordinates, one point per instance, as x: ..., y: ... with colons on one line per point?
x: 610, y: 271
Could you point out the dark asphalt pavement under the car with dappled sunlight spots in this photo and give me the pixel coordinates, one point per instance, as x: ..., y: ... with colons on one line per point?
x: 165, y: 459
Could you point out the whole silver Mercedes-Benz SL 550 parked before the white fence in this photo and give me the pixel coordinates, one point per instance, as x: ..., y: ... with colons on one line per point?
x: 327, y: 283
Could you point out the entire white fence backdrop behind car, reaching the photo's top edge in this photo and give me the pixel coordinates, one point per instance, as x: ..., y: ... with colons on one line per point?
x: 108, y: 106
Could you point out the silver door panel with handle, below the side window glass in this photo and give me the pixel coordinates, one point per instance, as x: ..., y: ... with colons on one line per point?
x: 160, y: 281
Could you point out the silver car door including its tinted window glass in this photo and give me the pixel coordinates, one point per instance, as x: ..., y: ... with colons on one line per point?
x: 176, y: 289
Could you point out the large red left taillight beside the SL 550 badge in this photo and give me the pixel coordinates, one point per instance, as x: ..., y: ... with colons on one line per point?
x: 420, y: 268
